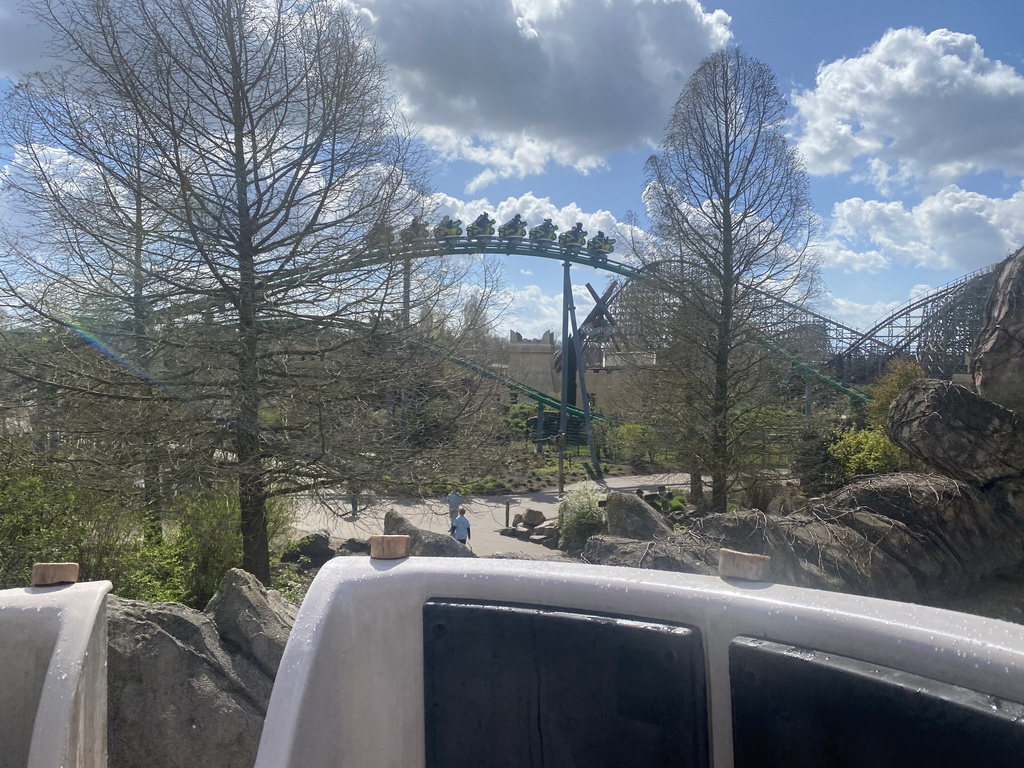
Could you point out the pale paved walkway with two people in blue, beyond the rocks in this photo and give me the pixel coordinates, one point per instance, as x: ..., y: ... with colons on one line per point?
x: 487, y: 515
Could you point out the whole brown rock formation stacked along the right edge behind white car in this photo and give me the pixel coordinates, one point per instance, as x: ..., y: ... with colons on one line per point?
x: 908, y: 536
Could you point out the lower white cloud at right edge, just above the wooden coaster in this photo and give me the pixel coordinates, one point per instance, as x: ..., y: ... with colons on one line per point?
x: 953, y: 230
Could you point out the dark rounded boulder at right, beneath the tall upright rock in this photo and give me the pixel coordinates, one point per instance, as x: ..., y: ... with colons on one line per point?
x: 965, y: 436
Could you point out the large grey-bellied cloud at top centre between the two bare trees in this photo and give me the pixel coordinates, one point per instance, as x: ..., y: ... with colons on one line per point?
x: 516, y: 86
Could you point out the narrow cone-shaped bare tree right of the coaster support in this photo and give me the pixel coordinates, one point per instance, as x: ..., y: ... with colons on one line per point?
x: 734, y: 226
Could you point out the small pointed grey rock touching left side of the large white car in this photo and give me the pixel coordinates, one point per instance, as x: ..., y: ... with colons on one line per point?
x: 250, y: 621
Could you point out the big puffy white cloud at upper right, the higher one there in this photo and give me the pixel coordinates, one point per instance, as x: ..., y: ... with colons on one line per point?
x: 915, y: 109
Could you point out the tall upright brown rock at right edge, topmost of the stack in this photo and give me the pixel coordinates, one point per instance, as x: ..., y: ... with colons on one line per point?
x: 998, y: 361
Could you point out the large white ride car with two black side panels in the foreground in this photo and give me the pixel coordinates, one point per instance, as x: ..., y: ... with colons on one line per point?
x: 445, y: 663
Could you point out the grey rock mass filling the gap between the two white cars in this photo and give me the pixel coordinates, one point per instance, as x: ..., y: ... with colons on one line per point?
x: 180, y: 694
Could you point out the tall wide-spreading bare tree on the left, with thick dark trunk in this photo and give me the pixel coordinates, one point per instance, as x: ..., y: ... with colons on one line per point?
x: 246, y: 155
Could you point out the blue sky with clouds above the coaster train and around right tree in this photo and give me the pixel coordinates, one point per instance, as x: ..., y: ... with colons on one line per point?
x: 910, y: 117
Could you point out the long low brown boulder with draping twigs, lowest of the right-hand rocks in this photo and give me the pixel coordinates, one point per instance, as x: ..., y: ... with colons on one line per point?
x: 905, y: 537
